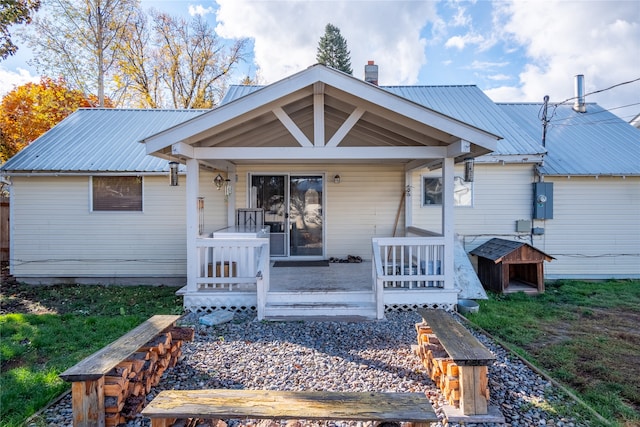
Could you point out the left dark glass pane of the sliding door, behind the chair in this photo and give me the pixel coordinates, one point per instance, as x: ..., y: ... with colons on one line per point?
x: 268, y: 192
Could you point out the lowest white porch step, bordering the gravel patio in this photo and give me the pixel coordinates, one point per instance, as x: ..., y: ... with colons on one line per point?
x: 320, y: 311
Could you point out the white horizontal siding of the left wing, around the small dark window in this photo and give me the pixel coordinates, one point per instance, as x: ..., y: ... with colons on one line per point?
x: 55, y: 234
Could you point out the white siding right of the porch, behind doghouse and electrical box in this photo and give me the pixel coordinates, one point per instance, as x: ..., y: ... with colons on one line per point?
x: 595, y: 231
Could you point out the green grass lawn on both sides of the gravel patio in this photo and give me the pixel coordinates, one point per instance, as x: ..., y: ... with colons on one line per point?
x: 585, y: 334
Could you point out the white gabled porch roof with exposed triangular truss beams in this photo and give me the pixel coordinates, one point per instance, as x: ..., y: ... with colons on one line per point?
x: 321, y: 114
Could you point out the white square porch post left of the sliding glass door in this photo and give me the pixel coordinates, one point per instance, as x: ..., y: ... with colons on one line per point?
x: 193, y: 189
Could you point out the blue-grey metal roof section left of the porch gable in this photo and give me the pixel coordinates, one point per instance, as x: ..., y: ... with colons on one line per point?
x: 98, y: 140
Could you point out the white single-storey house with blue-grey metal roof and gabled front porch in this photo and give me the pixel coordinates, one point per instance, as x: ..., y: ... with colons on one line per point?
x: 335, y: 167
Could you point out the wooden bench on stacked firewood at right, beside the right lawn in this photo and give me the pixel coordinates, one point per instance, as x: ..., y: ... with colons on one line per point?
x: 470, y: 357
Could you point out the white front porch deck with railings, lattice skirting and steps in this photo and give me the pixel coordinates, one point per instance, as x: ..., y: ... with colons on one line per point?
x: 402, y: 273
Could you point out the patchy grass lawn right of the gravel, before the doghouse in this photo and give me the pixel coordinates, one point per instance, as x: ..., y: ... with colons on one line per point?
x: 586, y: 335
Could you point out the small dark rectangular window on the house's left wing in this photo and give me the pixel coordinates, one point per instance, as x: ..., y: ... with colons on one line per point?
x: 117, y: 193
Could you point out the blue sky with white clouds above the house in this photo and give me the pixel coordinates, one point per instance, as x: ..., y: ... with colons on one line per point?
x: 515, y: 51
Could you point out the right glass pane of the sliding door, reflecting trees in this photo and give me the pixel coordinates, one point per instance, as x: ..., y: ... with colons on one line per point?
x: 305, y: 215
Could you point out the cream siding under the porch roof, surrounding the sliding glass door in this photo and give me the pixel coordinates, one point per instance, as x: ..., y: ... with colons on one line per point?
x: 362, y: 206
